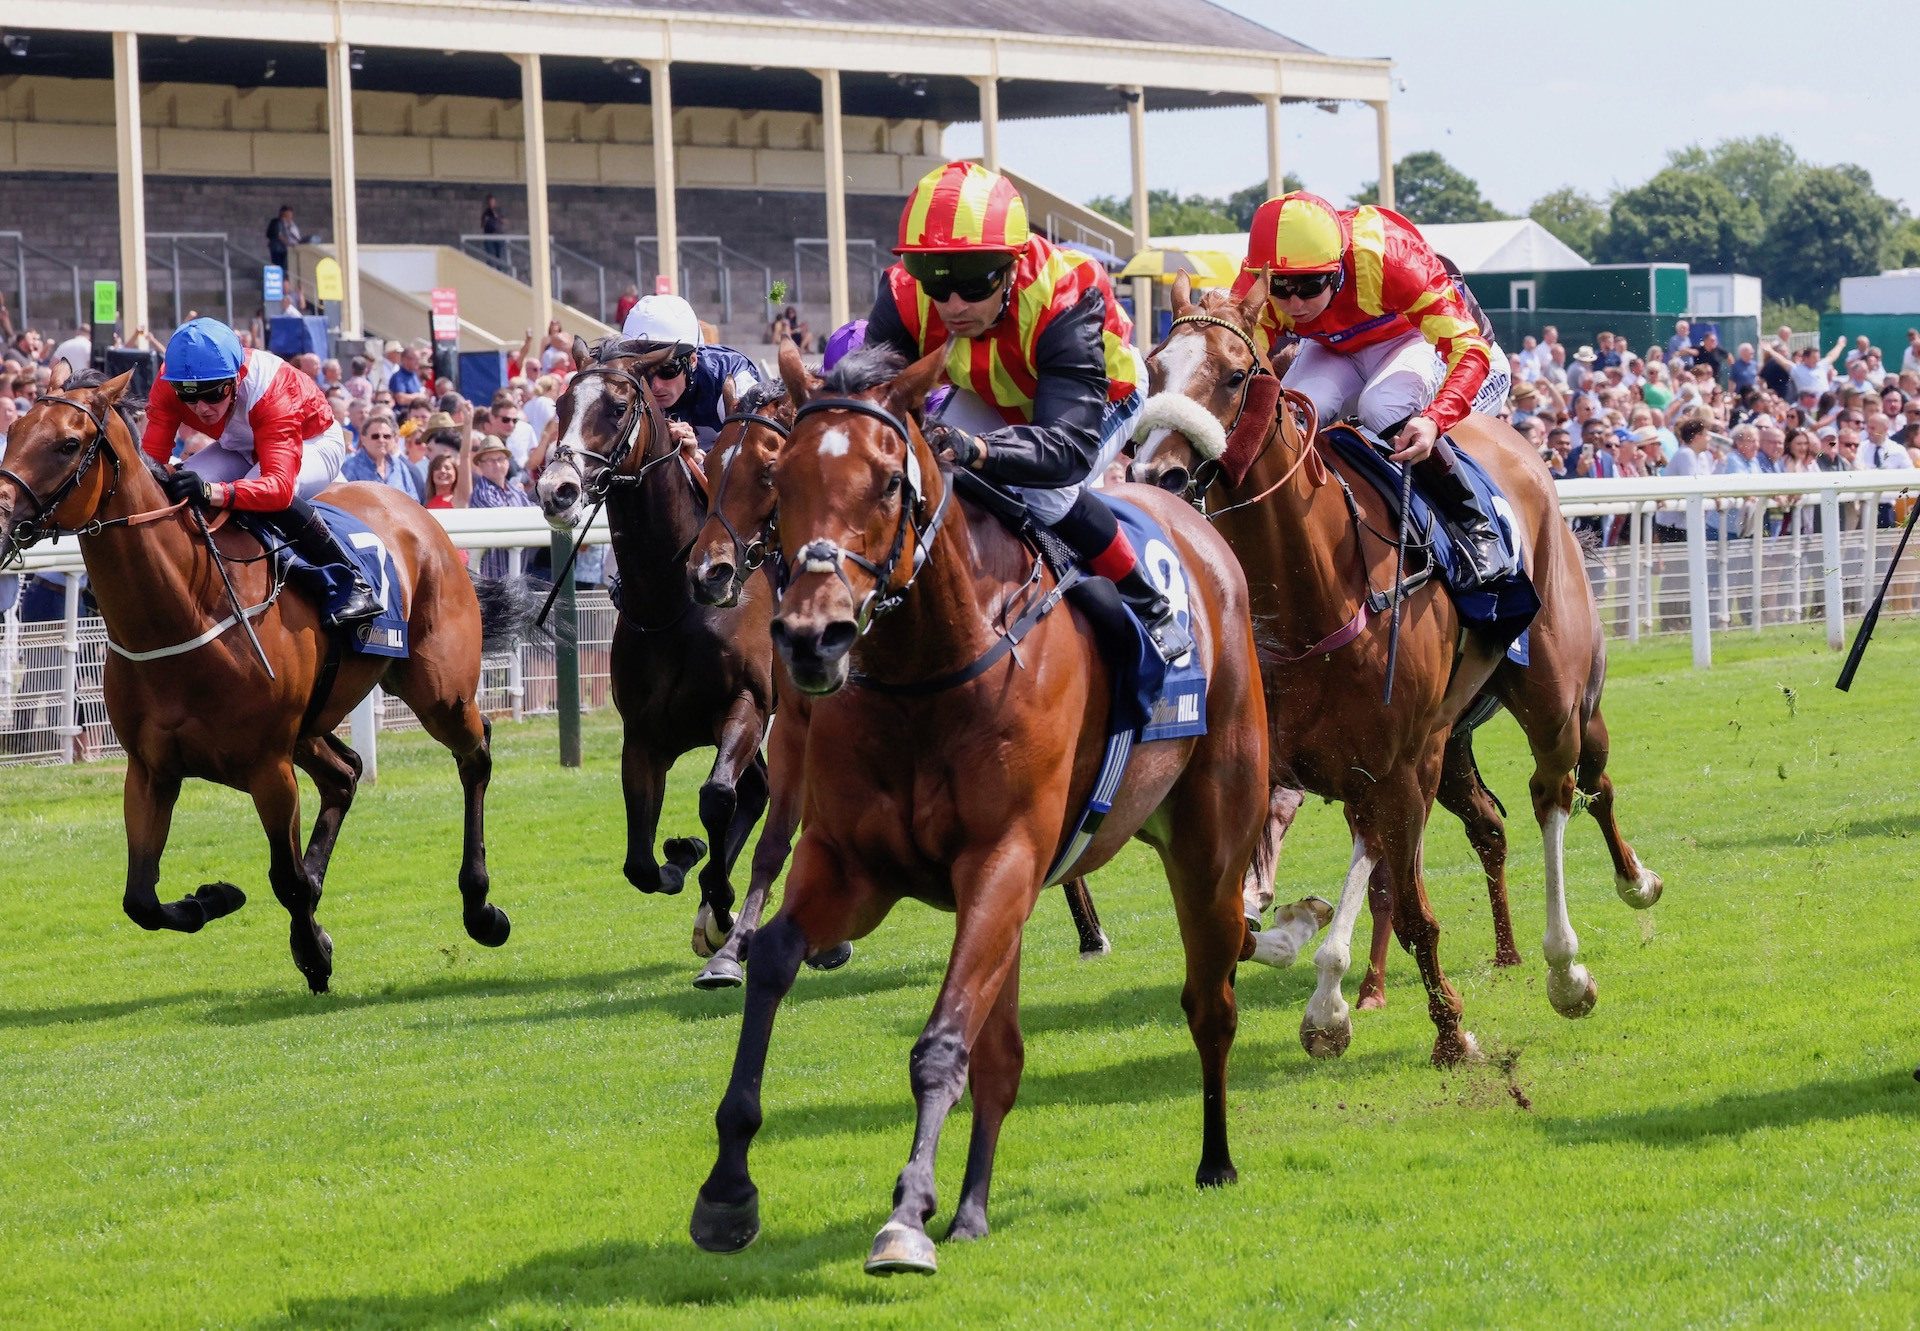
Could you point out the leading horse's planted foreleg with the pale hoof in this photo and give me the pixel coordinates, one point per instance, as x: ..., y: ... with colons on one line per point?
x: 996, y: 894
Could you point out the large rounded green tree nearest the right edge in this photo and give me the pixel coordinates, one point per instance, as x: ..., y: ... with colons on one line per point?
x: 1831, y: 226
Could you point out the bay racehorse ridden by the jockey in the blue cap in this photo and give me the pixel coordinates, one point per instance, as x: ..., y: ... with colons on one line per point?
x: 187, y: 692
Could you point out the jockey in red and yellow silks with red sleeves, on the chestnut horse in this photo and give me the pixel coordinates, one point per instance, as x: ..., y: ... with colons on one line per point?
x: 1387, y: 335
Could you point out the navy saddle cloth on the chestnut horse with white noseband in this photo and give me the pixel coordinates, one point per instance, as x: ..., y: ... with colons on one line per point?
x: 1502, y: 608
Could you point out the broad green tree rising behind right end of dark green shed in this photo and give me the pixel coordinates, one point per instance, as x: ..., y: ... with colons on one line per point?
x: 1681, y: 218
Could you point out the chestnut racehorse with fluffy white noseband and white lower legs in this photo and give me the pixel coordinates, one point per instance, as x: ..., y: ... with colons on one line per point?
x: 1310, y: 564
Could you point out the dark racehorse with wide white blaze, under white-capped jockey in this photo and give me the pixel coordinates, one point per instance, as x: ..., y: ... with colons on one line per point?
x: 684, y: 675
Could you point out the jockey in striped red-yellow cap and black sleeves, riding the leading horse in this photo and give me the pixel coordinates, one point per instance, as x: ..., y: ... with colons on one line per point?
x: 1047, y: 385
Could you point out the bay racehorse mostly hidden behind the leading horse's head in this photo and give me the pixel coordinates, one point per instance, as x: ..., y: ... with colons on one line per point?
x: 729, y: 564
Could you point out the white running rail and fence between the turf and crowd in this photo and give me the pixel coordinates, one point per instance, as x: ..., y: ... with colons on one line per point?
x: 1719, y: 571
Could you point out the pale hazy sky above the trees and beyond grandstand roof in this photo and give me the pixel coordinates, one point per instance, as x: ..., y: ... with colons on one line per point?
x: 1531, y: 97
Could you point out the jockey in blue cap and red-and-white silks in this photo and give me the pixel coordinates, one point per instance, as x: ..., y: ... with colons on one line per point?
x: 276, y: 445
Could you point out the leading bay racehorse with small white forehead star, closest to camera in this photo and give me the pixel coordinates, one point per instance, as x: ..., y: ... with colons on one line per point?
x: 948, y: 767
